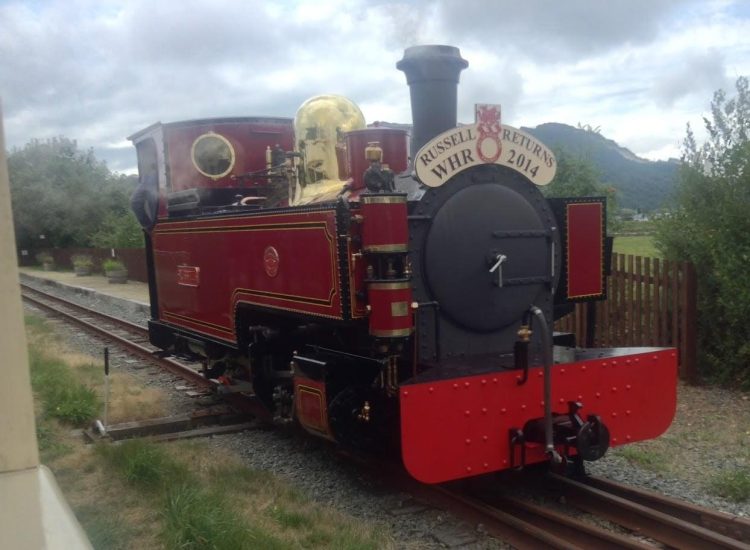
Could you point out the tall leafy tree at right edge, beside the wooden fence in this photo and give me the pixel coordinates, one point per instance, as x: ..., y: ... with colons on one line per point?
x: 709, y: 226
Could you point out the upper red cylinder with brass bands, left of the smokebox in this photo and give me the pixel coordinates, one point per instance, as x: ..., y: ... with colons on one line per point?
x: 384, y: 224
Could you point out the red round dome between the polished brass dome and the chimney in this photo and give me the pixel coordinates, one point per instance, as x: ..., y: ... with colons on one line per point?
x: 391, y: 140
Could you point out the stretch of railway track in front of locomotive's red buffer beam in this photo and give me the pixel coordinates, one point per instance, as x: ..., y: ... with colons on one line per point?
x: 635, y: 518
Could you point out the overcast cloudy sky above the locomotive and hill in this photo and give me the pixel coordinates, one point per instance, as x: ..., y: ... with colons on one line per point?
x: 98, y: 70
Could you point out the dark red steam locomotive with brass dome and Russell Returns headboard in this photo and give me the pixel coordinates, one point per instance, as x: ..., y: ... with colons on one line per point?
x: 390, y: 303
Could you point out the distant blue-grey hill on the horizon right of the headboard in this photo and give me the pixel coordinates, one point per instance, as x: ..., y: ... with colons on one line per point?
x: 640, y: 183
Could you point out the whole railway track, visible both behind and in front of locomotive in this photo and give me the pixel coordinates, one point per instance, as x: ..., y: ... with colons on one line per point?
x: 646, y: 519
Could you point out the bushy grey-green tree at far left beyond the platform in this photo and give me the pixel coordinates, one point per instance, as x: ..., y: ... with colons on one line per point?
x: 62, y: 193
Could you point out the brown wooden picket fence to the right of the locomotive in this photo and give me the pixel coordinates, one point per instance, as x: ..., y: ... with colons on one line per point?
x: 650, y: 302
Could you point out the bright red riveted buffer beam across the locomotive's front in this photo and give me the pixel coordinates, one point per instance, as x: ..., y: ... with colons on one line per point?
x: 458, y: 427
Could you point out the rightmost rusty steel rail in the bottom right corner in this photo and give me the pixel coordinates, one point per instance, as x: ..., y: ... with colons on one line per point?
x: 727, y: 524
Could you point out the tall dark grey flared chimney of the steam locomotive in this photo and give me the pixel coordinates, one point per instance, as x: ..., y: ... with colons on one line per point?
x: 432, y: 73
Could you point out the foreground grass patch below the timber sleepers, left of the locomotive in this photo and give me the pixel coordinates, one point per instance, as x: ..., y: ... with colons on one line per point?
x: 204, y: 499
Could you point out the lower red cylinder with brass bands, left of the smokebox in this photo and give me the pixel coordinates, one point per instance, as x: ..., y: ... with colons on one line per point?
x: 390, y: 309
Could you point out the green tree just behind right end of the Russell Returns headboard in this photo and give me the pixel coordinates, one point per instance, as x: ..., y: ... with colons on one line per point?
x: 577, y: 177
